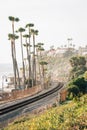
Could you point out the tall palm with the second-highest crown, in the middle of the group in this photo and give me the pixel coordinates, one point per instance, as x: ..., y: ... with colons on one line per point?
x: 29, y: 25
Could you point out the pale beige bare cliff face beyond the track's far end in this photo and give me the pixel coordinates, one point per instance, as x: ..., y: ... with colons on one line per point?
x: 58, y: 67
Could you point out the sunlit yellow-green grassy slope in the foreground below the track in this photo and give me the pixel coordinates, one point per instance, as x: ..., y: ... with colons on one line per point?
x: 72, y: 116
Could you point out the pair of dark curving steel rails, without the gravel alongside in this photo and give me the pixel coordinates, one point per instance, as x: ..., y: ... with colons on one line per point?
x: 20, y: 104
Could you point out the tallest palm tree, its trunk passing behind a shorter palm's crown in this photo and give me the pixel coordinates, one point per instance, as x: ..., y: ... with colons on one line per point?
x: 15, y: 65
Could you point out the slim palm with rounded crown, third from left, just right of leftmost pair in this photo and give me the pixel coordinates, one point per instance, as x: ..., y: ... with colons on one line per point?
x: 21, y: 30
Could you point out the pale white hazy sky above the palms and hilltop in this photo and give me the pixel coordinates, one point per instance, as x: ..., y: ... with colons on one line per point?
x: 56, y: 21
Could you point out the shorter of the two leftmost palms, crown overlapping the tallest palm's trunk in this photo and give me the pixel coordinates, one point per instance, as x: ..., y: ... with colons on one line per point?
x: 12, y: 37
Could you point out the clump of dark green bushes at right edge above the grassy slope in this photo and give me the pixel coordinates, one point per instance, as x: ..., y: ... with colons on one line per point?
x: 78, y: 82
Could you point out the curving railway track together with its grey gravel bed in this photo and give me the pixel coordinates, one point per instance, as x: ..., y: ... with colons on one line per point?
x: 15, y: 109
